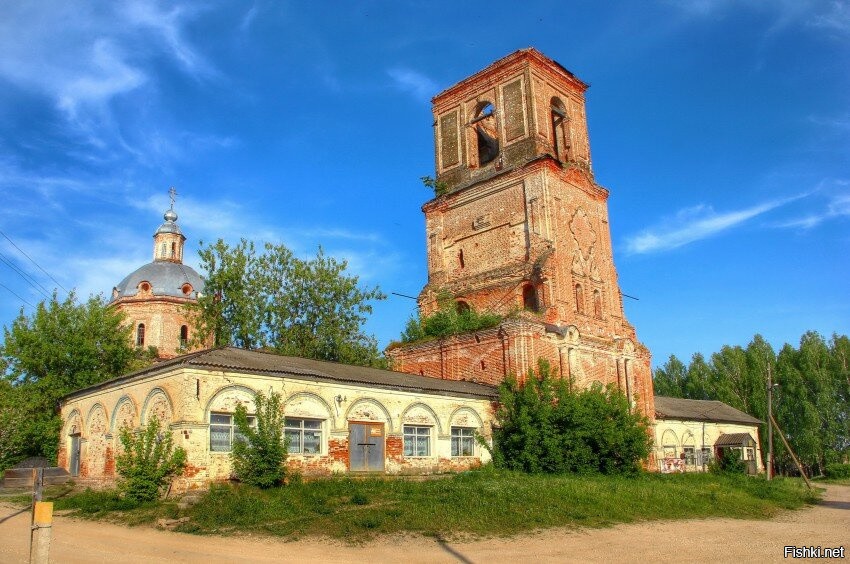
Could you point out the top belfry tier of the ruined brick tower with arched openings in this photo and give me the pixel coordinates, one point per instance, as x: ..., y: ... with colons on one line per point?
x: 521, y: 108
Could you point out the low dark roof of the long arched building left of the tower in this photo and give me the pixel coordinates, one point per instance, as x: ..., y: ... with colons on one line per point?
x: 233, y: 359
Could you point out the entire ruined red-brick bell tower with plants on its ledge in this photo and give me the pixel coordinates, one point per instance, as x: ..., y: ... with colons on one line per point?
x: 520, y: 228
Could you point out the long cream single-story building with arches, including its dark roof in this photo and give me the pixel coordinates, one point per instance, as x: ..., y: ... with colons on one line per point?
x: 339, y: 418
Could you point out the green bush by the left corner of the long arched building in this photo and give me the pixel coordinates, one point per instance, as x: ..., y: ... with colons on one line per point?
x: 148, y: 460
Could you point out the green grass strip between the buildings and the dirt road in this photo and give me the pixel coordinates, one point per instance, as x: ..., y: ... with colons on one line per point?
x: 481, y: 503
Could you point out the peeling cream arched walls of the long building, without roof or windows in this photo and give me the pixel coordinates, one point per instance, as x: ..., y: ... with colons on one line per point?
x: 185, y: 398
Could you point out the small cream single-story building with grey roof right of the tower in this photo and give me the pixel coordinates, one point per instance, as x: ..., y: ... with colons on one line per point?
x: 690, y: 434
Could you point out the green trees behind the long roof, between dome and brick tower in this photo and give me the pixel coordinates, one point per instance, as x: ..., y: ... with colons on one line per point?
x: 272, y: 299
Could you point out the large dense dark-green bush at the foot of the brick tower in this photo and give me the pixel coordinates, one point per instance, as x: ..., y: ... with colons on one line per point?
x: 544, y: 426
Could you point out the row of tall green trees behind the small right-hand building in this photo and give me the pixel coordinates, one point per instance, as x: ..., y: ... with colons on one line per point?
x: 811, y: 402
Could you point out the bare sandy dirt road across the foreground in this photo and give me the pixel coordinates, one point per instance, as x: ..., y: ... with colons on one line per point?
x: 710, y: 540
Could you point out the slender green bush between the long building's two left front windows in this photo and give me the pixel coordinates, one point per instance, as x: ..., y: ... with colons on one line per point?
x: 258, y: 455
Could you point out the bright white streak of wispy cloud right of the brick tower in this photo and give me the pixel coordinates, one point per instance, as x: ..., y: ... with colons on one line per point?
x: 694, y: 224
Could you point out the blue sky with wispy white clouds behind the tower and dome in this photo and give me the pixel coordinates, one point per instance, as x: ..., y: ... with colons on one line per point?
x: 721, y: 129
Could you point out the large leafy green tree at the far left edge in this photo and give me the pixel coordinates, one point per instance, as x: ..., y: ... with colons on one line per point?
x: 64, y: 346
